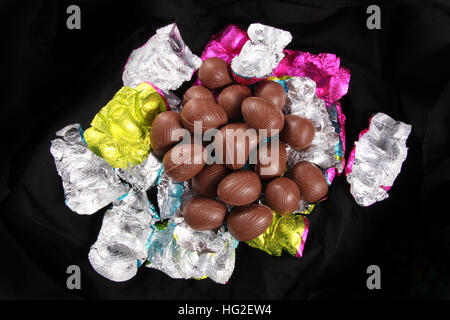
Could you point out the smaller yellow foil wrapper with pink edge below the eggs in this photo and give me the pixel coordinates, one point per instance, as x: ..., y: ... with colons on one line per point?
x: 285, y: 232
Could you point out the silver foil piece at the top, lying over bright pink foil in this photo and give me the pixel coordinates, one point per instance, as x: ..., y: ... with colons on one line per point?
x: 262, y: 53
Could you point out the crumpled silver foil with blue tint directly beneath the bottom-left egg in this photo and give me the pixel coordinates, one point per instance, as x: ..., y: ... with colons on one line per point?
x: 165, y: 254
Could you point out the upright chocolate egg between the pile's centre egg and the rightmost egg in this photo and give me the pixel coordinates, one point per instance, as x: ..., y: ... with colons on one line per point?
x: 271, y: 164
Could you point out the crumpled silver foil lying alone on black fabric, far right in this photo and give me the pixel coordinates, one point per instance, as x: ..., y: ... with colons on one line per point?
x: 377, y: 158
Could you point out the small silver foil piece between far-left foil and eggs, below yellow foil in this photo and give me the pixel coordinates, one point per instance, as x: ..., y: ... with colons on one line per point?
x: 143, y: 176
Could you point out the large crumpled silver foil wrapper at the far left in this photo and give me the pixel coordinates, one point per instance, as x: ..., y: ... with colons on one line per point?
x: 89, y: 182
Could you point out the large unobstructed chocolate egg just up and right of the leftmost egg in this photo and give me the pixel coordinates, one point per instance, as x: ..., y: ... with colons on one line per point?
x: 208, y: 112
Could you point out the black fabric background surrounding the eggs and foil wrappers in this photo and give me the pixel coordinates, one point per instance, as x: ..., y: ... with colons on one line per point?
x: 58, y: 76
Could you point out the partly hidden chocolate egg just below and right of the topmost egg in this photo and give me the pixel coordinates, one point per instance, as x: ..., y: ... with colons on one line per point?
x: 231, y: 99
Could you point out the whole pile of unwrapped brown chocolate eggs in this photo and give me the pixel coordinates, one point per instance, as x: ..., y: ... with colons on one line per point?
x: 235, y: 183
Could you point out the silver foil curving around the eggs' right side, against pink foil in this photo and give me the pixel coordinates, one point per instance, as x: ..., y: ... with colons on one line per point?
x: 303, y: 101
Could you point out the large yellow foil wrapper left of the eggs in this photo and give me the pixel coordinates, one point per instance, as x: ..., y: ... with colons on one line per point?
x: 120, y: 131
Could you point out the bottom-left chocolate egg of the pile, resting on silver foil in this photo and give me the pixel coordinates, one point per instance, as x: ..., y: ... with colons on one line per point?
x: 204, y: 214
